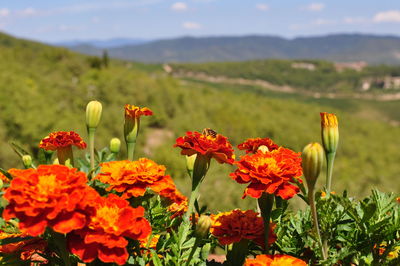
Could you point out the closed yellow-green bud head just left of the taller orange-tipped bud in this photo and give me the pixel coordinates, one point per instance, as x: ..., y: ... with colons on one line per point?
x: 312, y: 159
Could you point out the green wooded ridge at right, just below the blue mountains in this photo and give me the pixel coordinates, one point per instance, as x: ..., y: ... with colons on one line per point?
x: 309, y: 75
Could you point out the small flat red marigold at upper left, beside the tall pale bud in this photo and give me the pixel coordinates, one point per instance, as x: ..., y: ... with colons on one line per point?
x: 62, y: 139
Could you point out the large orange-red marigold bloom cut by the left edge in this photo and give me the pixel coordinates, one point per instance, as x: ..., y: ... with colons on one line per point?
x: 51, y: 195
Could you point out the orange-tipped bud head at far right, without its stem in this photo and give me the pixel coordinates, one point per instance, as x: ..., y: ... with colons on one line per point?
x: 329, y: 132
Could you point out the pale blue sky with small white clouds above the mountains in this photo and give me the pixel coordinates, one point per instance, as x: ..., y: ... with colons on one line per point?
x: 60, y: 20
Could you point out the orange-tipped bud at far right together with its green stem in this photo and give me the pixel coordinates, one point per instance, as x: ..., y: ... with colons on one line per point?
x: 330, y: 140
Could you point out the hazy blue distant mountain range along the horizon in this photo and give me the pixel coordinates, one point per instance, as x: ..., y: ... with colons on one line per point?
x: 373, y: 49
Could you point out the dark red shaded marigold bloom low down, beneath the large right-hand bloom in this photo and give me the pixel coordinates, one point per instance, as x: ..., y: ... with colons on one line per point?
x: 231, y: 227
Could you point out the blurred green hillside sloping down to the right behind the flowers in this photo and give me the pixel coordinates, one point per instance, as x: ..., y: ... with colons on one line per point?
x: 44, y: 89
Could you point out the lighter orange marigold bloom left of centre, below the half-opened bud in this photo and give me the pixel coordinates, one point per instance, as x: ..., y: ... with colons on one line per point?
x: 133, y: 178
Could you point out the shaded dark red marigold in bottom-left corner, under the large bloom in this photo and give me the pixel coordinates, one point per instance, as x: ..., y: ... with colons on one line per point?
x: 26, y: 249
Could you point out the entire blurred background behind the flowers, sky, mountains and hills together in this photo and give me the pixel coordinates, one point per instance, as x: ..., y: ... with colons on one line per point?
x: 243, y: 68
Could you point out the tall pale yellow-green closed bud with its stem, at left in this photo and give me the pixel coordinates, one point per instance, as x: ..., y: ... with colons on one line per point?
x: 93, y: 116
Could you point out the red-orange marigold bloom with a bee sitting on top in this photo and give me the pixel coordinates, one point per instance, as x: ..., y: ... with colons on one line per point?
x: 216, y: 146
